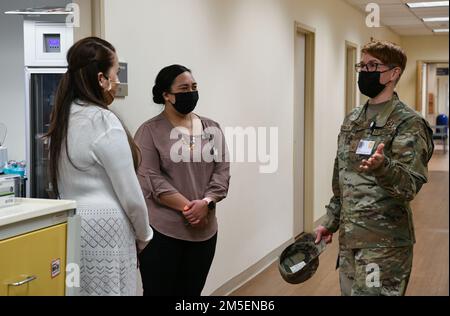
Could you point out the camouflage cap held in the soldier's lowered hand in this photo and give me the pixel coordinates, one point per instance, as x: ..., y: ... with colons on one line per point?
x: 299, y: 261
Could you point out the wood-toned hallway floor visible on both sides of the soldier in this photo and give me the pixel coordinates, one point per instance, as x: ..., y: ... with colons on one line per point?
x: 430, y: 274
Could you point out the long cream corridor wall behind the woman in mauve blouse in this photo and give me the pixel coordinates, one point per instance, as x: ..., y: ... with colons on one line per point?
x: 242, y: 55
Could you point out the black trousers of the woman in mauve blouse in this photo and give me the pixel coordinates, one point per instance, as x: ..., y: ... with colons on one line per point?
x: 173, y: 267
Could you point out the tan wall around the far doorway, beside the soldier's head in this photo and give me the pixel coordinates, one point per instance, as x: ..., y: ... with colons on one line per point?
x: 425, y: 48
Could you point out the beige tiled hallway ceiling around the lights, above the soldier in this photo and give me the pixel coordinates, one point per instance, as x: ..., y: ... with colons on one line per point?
x: 403, y: 20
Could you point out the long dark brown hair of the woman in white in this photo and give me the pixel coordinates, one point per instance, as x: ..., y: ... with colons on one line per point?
x: 86, y: 59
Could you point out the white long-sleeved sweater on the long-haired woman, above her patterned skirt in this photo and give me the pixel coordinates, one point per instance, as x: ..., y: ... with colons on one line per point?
x: 106, y: 178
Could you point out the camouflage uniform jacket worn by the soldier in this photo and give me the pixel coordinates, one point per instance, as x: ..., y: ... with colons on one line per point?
x: 372, y: 209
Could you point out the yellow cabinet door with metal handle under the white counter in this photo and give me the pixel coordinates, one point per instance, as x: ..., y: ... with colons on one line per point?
x: 34, y: 264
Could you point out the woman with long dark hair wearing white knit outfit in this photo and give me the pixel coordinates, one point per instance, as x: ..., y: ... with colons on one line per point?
x: 93, y: 161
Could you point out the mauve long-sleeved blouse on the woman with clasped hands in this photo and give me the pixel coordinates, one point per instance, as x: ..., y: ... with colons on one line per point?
x: 171, y: 165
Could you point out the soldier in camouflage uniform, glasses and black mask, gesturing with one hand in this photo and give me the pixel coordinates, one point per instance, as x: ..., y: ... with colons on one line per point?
x: 383, y: 151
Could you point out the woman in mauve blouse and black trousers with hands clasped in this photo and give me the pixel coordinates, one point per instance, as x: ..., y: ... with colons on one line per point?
x: 184, y: 172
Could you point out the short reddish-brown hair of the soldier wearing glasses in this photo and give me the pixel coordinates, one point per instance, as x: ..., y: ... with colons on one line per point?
x: 389, y: 53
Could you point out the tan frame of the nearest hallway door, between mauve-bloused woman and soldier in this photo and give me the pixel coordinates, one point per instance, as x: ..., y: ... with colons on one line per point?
x: 308, y: 124
